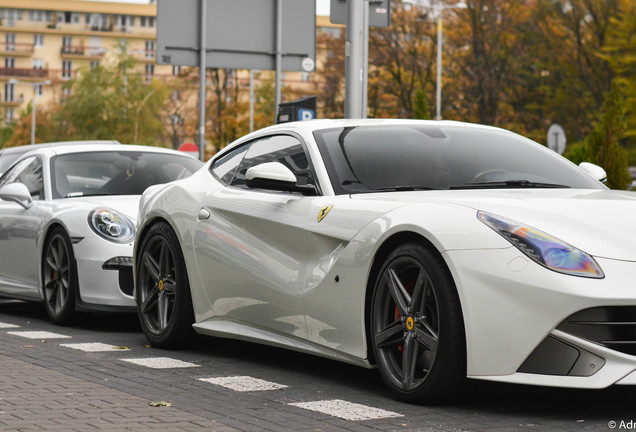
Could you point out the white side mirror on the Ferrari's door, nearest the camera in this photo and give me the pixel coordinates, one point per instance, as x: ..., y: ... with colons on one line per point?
x: 275, y: 176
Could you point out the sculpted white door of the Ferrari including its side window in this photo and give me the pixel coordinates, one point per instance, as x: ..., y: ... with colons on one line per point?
x: 250, y: 244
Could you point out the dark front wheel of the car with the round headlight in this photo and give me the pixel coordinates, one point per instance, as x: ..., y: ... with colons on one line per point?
x: 59, y: 278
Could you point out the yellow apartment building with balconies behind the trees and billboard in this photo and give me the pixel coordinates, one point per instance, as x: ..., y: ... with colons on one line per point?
x: 44, y: 43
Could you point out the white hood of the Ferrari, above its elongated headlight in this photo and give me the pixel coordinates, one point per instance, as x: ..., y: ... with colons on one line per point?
x: 600, y: 222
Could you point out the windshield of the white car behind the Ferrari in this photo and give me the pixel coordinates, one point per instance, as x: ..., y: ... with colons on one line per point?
x: 116, y: 172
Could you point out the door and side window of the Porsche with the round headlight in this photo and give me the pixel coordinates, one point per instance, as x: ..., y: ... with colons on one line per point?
x: 19, y: 228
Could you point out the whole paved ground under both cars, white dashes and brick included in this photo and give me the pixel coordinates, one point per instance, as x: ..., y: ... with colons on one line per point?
x: 101, y: 375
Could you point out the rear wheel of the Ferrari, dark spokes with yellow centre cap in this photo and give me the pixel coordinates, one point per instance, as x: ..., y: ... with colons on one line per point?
x: 164, y: 302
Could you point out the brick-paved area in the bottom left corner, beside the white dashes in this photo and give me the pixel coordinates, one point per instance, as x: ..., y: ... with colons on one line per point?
x: 33, y: 398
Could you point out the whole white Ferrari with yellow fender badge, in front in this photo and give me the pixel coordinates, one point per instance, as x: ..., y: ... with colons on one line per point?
x: 435, y: 251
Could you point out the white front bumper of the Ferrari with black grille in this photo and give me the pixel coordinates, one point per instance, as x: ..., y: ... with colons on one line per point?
x: 525, y: 324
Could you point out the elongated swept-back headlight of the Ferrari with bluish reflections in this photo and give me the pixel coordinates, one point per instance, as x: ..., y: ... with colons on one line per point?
x: 542, y: 248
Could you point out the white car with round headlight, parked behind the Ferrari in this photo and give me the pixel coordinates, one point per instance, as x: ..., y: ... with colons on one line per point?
x: 67, y: 223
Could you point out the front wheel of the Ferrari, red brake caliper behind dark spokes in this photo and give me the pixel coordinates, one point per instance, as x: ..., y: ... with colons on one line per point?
x: 417, y: 329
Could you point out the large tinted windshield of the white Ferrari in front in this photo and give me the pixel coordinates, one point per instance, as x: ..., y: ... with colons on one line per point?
x: 374, y: 158
